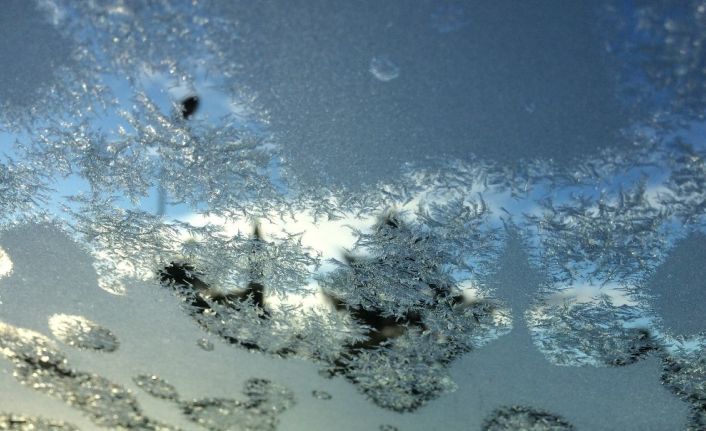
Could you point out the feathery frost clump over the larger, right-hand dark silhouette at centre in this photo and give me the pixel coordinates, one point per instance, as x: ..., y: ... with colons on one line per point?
x: 401, y: 289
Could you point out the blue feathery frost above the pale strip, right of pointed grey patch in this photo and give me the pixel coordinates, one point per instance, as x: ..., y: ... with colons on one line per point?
x: 613, y: 237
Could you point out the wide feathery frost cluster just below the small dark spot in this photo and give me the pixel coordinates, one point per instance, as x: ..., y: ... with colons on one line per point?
x: 221, y: 165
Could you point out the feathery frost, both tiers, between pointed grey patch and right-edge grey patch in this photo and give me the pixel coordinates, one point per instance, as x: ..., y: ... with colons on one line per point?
x: 613, y: 242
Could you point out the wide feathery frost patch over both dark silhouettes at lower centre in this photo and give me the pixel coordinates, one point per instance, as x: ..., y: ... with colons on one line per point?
x: 398, y: 311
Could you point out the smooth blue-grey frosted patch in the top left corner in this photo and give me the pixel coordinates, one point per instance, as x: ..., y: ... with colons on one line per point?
x: 50, y: 75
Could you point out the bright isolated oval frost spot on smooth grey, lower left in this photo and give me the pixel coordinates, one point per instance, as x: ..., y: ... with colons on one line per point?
x: 77, y: 331
